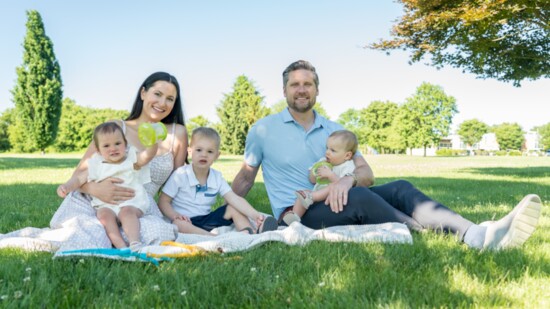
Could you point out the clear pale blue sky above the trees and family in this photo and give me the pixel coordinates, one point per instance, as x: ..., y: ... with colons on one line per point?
x: 107, y: 48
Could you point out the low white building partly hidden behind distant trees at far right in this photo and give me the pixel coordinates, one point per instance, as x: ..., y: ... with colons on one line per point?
x: 488, y: 143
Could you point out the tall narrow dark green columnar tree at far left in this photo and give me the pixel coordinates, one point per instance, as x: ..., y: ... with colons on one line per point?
x: 37, y: 93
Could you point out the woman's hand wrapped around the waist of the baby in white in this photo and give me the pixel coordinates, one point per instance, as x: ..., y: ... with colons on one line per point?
x: 109, y: 191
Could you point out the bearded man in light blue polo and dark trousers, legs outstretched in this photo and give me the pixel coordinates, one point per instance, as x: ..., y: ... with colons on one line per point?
x: 288, y: 143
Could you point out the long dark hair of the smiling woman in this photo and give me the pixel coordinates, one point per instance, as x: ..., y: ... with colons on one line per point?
x: 176, y: 115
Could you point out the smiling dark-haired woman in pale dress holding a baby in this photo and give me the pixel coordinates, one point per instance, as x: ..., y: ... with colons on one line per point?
x: 158, y: 100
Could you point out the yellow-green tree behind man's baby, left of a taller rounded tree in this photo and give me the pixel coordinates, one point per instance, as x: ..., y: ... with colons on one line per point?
x: 379, y: 119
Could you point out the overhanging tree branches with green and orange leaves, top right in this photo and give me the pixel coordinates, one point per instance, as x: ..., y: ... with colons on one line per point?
x: 507, y: 40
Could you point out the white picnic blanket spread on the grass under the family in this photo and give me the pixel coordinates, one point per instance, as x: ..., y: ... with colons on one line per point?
x: 228, y: 240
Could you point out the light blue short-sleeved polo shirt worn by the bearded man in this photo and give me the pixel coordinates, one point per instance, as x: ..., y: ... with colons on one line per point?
x: 286, y: 152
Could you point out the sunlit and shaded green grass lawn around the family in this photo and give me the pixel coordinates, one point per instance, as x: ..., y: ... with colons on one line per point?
x: 436, y: 271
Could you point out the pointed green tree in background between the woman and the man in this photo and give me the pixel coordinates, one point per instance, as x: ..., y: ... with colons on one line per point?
x: 238, y: 112
